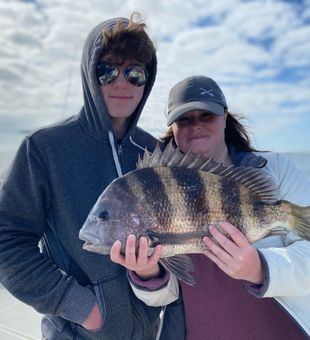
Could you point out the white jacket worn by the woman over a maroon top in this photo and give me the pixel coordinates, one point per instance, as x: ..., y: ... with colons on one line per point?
x: 287, y: 257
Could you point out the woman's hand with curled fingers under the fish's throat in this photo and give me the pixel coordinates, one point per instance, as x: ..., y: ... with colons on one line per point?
x: 144, y: 266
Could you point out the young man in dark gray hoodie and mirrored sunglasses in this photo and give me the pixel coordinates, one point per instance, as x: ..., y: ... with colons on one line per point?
x: 56, y: 177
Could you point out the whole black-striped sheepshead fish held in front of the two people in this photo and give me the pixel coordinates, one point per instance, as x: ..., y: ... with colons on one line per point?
x: 172, y: 198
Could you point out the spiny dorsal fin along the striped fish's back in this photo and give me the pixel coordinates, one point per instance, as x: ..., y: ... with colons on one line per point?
x: 260, y: 183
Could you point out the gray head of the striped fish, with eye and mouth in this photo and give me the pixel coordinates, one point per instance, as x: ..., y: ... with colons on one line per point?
x: 116, y: 214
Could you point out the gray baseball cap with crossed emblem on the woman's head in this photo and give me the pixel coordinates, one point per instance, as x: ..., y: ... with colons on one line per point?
x: 195, y: 93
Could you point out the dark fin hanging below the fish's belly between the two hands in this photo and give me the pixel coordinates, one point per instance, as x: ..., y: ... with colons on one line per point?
x: 180, y: 266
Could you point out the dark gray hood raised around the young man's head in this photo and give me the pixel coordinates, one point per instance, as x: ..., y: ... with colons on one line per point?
x: 94, y: 113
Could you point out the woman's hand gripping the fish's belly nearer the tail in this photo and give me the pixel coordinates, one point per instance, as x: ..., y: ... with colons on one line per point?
x: 235, y: 255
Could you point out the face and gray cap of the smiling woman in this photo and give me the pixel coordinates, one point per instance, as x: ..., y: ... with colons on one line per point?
x: 193, y: 100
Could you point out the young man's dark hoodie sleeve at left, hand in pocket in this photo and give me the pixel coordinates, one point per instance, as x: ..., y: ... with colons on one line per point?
x: 24, y: 270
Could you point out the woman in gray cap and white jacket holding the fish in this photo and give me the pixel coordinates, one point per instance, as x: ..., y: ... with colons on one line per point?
x: 242, y: 291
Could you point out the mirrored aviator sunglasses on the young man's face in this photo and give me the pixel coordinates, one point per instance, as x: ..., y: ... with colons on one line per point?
x: 134, y: 74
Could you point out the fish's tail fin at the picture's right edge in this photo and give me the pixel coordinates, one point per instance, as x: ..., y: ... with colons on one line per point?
x: 300, y: 220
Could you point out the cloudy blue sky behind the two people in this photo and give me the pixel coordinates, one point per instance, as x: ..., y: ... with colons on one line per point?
x: 258, y: 52
